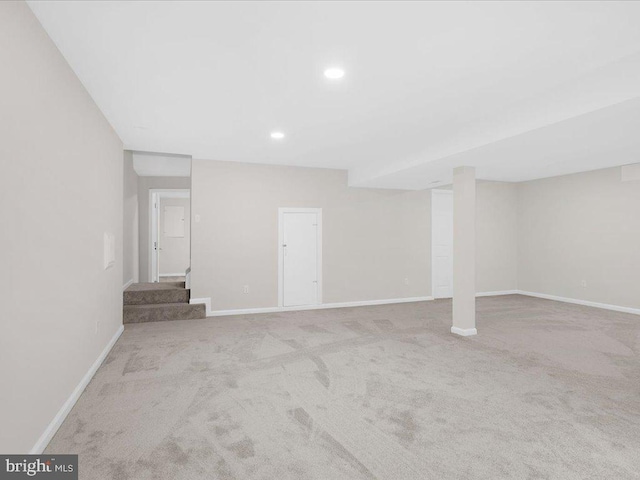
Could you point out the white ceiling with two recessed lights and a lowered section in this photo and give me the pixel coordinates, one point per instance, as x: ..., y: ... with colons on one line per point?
x: 521, y: 90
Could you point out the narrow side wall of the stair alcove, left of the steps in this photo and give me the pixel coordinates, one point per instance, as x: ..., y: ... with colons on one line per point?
x: 131, y: 220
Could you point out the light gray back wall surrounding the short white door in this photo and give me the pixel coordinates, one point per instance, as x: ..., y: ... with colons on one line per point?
x: 372, y: 239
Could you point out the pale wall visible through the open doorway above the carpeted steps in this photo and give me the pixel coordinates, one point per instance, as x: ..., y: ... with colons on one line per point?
x: 175, y: 255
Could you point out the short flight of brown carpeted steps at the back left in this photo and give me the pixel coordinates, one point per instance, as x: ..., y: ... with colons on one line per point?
x: 158, y: 302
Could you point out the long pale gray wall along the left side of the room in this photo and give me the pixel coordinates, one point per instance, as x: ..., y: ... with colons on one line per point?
x: 61, y: 189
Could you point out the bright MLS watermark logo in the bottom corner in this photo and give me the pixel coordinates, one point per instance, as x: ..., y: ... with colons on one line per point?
x: 51, y: 467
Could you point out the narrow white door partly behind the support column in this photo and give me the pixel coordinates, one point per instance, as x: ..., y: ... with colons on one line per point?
x: 442, y: 243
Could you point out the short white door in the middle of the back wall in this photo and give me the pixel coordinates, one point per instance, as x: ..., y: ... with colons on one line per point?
x: 300, y: 258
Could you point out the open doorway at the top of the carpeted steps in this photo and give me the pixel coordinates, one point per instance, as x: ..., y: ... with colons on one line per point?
x: 170, y: 238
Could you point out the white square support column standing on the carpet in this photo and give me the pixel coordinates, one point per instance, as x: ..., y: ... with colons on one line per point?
x: 464, y: 251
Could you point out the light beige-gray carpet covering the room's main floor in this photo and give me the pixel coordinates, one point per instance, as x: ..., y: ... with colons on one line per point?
x: 545, y: 391
